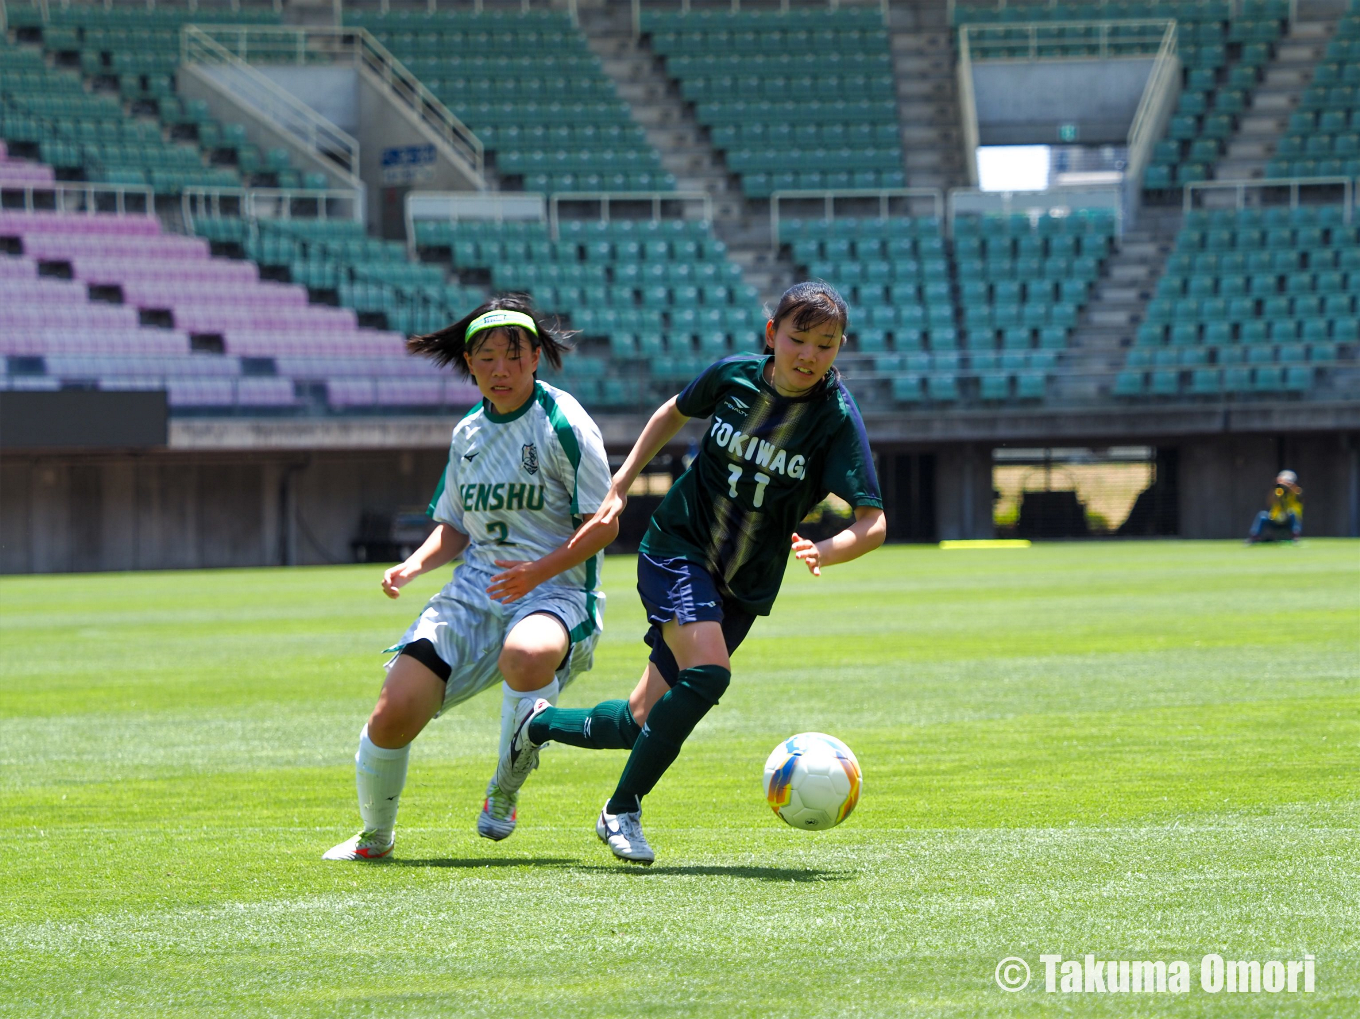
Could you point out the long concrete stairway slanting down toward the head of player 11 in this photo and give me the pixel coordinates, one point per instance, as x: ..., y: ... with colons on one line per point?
x: 686, y: 152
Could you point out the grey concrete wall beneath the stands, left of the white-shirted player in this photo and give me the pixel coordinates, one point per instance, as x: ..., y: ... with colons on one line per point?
x: 160, y: 512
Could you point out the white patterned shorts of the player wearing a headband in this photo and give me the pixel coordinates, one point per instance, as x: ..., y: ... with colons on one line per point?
x: 469, y: 629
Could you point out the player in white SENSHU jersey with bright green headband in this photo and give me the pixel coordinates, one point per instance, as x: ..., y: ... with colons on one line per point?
x: 527, y: 467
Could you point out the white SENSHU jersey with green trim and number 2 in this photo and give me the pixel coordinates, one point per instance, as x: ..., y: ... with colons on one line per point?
x: 520, y: 485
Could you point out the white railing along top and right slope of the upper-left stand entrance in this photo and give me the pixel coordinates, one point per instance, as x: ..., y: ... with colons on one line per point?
x: 277, y: 44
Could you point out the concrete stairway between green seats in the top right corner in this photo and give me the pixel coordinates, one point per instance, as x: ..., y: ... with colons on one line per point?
x: 1282, y: 88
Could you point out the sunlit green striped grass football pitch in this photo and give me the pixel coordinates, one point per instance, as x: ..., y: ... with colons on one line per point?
x: 1144, y: 752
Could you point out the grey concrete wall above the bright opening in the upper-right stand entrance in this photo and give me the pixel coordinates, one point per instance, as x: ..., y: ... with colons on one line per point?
x: 1018, y: 104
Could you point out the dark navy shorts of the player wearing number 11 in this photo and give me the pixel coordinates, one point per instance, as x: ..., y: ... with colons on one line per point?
x: 686, y: 592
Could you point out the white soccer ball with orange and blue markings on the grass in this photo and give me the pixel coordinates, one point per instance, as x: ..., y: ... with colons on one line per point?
x: 813, y: 782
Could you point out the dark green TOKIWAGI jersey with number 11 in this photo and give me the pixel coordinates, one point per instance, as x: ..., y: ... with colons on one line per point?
x: 765, y: 462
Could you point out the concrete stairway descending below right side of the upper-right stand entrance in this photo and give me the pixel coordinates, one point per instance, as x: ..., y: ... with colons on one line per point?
x: 1119, y: 303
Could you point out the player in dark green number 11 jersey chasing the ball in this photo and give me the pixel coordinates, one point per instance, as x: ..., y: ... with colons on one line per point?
x: 783, y: 433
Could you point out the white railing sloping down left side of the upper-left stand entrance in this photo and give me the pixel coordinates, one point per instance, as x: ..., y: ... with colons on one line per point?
x: 198, y: 46
